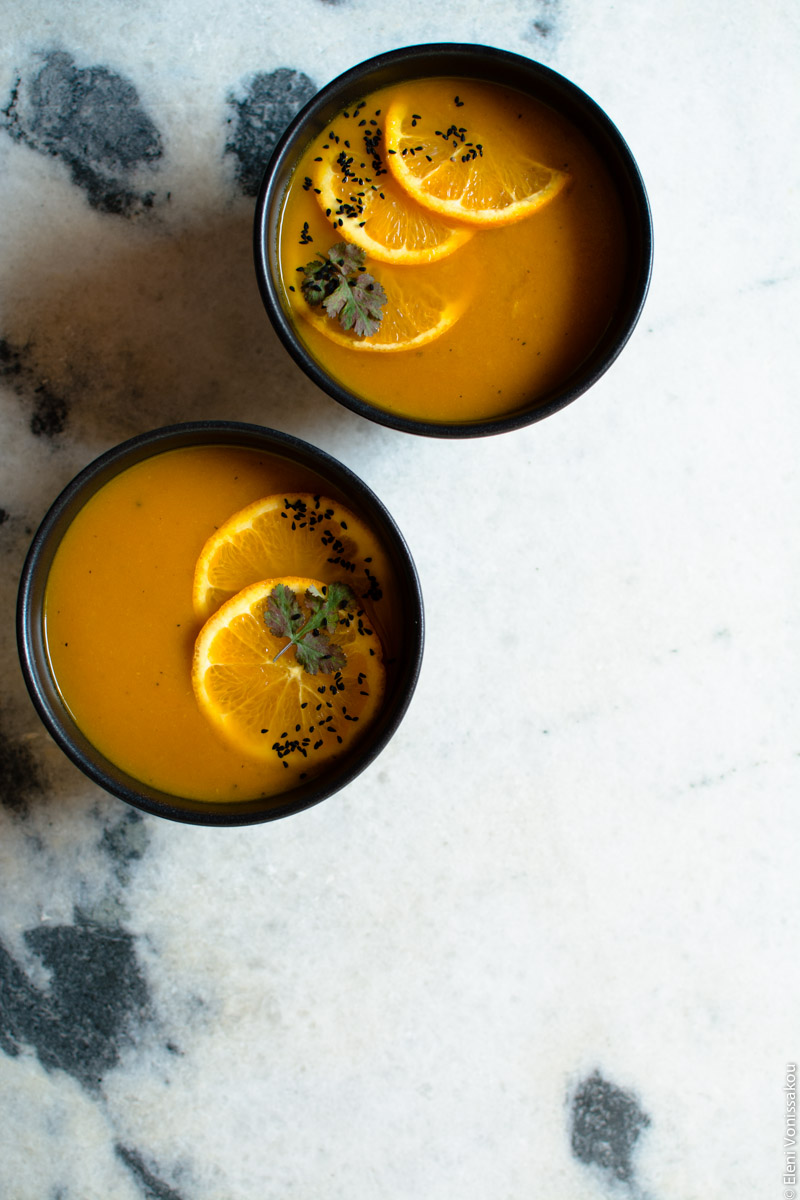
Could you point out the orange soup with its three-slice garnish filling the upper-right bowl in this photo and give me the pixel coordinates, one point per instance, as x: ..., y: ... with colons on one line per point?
x: 452, y: 249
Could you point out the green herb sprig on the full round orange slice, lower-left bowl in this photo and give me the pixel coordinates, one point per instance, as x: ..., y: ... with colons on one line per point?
x: 309, y: 623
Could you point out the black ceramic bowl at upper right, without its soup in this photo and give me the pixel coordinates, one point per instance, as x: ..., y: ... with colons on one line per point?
x: 495, y: 67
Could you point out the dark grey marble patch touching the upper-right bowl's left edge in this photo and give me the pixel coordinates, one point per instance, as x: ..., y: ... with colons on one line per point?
x: 257, y: 122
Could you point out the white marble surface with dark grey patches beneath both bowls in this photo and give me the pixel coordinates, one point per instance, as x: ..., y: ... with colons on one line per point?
x: 545, y: 947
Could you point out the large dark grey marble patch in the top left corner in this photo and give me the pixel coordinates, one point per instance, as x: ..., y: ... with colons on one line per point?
x: 94, y: 122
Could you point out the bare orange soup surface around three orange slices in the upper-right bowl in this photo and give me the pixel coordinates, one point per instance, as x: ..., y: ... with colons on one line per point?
x: 543, y: 291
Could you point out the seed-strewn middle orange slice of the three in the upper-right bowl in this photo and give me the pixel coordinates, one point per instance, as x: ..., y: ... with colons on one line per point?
x: 366, y: 207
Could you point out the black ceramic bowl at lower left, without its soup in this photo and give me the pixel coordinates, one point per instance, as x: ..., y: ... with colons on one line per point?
x: 402, y: 674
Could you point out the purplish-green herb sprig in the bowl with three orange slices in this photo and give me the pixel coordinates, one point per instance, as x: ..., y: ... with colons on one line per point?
x: 340, y: 281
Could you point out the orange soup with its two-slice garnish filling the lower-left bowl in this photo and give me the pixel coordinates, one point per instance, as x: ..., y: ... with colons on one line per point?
x: 164, y: 554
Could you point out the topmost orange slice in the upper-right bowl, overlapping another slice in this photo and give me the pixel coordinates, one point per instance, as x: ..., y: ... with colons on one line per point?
x: 465, y: 165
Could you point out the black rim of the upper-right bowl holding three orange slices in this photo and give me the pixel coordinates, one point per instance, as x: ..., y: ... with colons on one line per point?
x: 422, y: 55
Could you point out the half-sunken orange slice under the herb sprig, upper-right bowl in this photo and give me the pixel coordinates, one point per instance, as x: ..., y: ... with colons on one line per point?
x: 416, y: 314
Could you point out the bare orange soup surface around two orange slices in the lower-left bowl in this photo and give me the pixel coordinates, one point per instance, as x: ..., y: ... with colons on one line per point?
x: 121, y: 627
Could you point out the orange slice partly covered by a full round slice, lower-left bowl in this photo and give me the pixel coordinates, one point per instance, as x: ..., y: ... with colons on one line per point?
x: 300, y: 533
